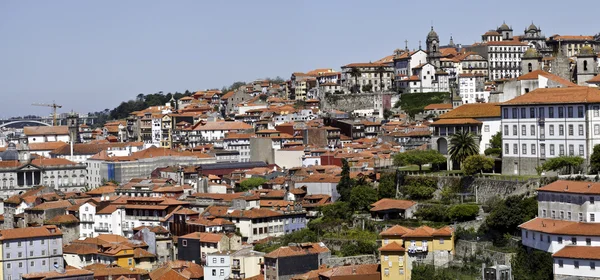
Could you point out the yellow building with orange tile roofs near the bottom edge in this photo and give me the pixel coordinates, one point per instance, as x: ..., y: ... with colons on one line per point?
x: 402, y: 246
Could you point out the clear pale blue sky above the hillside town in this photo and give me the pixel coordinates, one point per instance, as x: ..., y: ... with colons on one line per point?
x: 92, y: 55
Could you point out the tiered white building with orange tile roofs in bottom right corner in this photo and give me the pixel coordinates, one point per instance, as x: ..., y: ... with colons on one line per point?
x: 567, y: 227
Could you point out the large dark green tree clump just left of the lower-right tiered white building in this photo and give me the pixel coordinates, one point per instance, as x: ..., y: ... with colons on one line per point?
x: 506, y: 215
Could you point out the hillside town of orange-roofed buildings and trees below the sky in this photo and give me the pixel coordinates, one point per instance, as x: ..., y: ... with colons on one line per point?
x: 440, y: 160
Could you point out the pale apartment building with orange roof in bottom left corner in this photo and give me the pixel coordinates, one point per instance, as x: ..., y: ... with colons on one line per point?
x: 30, y: 250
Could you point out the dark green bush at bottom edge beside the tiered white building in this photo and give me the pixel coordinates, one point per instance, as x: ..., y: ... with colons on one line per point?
x: 532, y: 265
